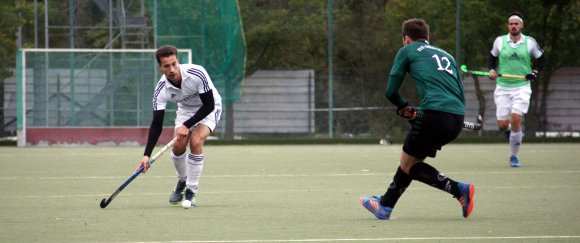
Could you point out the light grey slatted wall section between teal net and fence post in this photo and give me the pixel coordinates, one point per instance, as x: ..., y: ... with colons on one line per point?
x: 276, y: 102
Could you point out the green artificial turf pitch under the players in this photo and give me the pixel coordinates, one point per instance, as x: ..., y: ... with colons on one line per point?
x: 287, y: 193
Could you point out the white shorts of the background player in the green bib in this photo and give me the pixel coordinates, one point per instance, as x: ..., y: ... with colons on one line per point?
x: 512, y: 100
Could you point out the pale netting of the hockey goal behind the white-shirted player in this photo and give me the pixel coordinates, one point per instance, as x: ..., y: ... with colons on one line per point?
x: 88, y: 87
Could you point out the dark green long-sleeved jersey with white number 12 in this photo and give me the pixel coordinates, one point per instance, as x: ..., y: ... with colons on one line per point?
x: 435, y: 74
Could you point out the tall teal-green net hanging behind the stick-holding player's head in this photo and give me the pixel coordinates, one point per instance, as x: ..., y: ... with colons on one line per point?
x: 212, y: 29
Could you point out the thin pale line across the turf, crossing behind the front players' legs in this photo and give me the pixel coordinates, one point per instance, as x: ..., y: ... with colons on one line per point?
x: 278, y: 175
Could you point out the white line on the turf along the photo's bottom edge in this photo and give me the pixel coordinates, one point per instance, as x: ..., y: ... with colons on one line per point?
x: 531, y: 237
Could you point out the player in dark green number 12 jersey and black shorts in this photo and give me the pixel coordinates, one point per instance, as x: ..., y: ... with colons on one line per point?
x: 437, y: 120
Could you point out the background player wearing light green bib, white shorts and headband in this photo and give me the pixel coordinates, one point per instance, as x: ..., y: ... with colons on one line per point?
x: 513, y: 53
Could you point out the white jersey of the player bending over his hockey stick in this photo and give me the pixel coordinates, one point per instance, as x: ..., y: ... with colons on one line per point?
x: 195, y: 81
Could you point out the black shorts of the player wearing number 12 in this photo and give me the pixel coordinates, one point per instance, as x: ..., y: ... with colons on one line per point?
x: 430, y: 131
